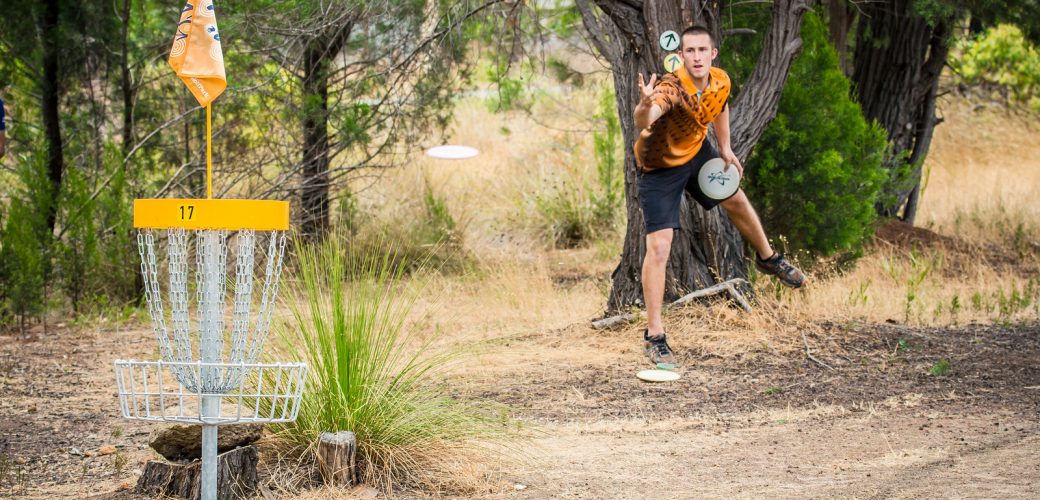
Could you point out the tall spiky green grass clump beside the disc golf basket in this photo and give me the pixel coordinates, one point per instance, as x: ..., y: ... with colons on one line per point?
x: 371, y: 375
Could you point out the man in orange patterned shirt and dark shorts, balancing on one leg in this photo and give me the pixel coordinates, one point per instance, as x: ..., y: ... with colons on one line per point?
x: 674, y: 116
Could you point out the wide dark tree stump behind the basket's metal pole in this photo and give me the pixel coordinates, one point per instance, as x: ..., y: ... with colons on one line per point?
x: 237, y: 477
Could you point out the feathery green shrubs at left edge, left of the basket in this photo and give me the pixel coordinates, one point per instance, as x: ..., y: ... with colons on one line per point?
x: 90, y: 262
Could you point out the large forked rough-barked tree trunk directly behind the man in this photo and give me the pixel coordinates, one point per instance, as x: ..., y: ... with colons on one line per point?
x: 708, y: 250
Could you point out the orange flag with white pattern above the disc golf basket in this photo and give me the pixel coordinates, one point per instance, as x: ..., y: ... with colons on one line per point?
x: 196, y: 56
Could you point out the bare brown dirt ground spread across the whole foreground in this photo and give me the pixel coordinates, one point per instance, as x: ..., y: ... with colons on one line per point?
x: 873, y: 423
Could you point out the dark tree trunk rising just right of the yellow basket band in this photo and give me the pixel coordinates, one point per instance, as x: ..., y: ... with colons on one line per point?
x: 319, y: 58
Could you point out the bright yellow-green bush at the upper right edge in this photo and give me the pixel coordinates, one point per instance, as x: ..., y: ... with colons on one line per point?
x: 1001, y: 58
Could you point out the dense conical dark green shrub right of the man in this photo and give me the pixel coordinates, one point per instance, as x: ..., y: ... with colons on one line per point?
x: 816, y: 173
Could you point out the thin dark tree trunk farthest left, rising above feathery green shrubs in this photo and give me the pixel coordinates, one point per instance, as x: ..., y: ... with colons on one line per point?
x: 50, y: 95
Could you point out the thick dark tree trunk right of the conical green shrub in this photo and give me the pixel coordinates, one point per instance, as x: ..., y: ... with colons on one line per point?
x: 898, y: 62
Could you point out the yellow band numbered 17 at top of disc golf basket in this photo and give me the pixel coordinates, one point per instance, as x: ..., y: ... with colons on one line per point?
x: 228, y: 215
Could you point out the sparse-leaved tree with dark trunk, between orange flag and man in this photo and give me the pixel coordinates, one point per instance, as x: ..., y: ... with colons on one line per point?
x: 353, y: 86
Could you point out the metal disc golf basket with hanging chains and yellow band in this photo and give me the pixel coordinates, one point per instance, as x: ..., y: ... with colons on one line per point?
x: 210, y: 375
